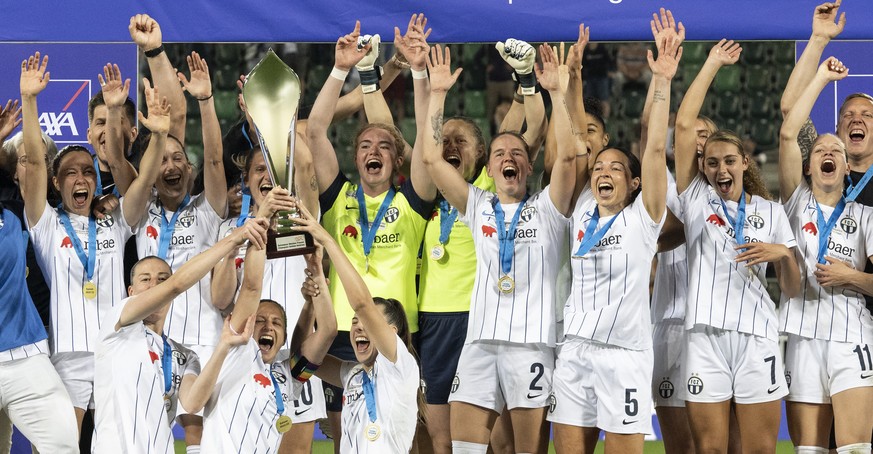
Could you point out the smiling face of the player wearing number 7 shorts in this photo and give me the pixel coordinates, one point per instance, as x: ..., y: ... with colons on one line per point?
x: 723, y: 166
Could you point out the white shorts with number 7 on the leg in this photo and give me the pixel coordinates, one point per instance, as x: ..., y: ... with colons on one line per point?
x: 720, y: 365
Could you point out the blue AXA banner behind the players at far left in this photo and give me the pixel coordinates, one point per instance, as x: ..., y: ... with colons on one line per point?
x: 63, y: 105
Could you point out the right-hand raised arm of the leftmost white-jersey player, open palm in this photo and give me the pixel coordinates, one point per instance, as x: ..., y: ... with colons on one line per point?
x: 158, y: 121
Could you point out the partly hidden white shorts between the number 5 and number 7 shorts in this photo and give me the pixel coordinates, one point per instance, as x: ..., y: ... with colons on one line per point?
x: 668, y: 345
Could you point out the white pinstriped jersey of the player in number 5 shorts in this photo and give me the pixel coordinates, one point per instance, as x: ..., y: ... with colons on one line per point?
x: 610, y: 297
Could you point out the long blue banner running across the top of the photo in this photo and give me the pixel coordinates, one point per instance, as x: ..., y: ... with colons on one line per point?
x: 452, y: 20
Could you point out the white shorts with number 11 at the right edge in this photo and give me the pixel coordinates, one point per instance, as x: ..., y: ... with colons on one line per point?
x: 817, y: 369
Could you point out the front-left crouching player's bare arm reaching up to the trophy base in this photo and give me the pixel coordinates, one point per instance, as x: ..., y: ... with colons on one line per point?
x: 140, y: 306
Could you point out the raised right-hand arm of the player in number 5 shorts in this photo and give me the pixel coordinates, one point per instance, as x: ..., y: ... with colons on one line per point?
x: 654, y: 162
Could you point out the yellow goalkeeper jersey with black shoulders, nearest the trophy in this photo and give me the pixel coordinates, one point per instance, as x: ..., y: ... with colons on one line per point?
x: 393, y: 258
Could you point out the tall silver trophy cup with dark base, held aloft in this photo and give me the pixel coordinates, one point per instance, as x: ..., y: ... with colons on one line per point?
x: 271, y: 94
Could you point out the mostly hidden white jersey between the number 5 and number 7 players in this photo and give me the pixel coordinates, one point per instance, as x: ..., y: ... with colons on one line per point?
x: 671, y: 274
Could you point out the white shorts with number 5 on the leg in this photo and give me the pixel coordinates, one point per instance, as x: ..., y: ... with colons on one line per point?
x: 599, y: 385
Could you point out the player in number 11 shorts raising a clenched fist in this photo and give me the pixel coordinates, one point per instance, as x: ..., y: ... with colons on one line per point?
x: 828, y: 326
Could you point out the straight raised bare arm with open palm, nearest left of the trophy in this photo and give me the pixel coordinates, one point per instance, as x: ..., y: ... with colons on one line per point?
x: 200, y: 87
